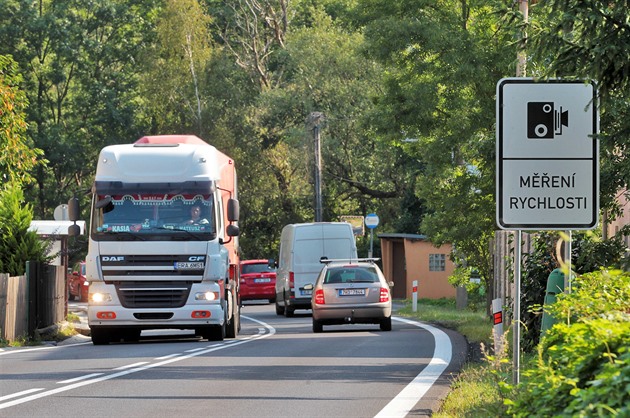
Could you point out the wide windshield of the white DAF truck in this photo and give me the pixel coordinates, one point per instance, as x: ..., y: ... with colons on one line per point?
x: 153, y: 216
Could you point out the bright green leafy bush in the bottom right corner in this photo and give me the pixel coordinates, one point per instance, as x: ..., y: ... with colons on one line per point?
x: 583, y: 366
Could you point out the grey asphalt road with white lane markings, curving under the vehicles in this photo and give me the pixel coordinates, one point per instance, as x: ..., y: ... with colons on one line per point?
x: 276, y: 367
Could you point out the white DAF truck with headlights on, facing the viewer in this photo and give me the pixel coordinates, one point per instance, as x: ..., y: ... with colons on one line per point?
x: 150, y: 263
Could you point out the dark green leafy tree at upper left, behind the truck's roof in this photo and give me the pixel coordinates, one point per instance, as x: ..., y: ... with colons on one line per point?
x: 80, y: 66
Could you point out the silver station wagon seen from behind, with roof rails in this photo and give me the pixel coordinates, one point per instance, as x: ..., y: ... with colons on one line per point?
x: 351, y: 292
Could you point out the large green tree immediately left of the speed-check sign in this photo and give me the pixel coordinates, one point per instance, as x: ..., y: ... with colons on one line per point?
x: 443, y: 60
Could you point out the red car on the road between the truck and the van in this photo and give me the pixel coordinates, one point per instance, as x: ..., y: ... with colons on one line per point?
x: 258, y: 280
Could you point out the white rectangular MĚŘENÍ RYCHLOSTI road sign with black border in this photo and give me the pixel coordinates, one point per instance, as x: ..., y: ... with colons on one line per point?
x: 547, y: 154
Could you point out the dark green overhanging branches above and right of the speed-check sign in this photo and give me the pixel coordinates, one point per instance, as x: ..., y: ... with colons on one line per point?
x: 590, y: 40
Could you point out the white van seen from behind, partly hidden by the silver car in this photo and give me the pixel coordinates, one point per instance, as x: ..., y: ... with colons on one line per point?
x: 301, y: 248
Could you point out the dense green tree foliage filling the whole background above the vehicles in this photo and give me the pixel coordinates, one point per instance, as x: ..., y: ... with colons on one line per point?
x: 406, y: 89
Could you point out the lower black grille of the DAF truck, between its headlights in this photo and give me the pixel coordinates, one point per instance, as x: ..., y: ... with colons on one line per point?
x: 153, y: 294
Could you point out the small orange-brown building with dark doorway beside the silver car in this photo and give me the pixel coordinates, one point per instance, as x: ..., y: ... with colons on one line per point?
x: 409, y: 257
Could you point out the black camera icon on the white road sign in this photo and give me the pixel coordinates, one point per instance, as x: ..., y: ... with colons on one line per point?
x: 544, y: 121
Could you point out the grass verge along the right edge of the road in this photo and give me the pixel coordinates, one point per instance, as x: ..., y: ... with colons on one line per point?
x: 481, y: 386
